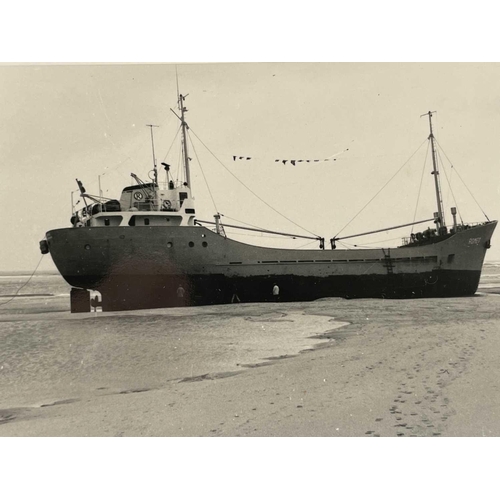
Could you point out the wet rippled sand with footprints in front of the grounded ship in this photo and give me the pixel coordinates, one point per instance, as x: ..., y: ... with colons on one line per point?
x: 397, y: 368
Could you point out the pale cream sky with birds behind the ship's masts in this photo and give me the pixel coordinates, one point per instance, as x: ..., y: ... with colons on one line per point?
x: 61, y: 122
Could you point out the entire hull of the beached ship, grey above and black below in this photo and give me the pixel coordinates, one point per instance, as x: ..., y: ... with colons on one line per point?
x: 144, y: 267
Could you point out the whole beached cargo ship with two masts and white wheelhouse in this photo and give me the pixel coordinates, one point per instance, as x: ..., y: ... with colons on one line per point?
x: 147, y: 249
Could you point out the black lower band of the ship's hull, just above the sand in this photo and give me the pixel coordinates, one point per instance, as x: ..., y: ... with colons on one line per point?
x: 146, y: 292
